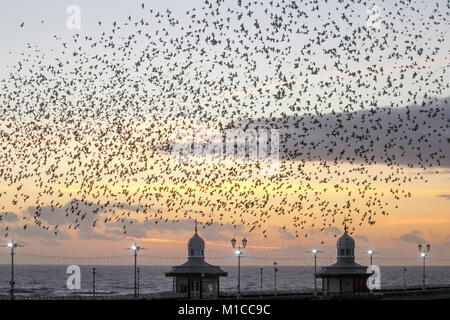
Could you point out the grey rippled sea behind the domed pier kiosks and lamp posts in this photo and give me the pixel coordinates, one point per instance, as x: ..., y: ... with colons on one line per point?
x: 51, y: 280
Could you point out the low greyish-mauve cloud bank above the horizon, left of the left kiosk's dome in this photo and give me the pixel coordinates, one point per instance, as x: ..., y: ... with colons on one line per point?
x: 83, y: 214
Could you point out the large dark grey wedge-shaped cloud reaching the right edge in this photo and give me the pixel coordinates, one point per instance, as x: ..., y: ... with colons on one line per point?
x: 366, y: 138
